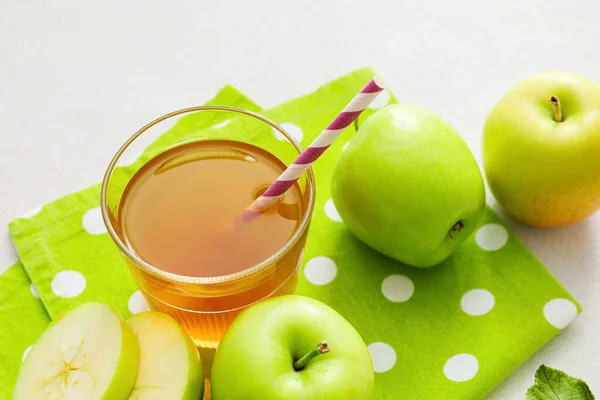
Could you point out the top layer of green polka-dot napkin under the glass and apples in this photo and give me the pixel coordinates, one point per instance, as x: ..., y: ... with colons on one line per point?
x: 450, y: 332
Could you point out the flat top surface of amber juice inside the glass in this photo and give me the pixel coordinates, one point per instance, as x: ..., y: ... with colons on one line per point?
x: 180, y: 211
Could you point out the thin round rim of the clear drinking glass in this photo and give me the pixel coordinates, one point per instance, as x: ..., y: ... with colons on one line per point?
x: 228, y: 278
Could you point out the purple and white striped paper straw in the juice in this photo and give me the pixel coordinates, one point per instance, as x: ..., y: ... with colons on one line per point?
x: 287, y: 179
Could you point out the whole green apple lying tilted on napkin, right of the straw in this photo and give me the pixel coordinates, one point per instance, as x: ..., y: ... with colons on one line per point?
x: 408, y: 186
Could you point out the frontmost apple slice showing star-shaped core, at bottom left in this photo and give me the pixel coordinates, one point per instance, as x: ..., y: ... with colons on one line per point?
x: 90, y: 353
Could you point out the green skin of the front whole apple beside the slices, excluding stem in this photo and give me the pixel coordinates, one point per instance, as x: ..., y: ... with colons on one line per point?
x: 254, y: 361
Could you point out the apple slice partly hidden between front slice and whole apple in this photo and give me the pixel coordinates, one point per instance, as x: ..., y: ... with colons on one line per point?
x: 170, y: 366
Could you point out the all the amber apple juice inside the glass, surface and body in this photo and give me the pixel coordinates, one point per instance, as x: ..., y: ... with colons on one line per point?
x: 179, y: 214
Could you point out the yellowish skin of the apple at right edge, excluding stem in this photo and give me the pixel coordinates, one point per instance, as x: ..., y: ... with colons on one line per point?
x: 545, y: 173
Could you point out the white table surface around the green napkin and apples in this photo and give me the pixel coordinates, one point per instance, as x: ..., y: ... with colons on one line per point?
x: 78, y: 77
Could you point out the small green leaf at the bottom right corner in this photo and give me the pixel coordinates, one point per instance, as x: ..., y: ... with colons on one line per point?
x: 552, y: 384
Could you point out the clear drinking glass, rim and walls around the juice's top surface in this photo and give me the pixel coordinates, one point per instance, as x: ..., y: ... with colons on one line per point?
x: 206, y: 306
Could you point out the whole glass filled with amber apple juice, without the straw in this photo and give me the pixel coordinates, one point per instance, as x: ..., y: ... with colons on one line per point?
x: 173, y: 213
